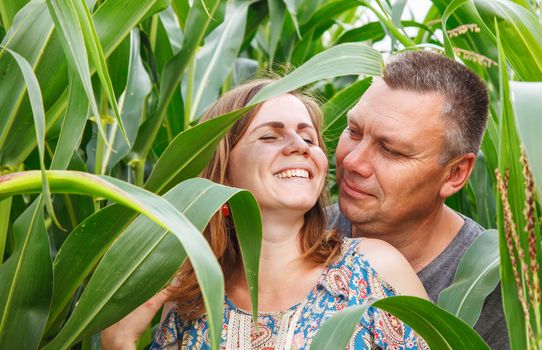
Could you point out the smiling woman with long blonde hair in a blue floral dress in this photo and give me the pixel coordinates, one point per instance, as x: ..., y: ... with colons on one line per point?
x: 306, y: 273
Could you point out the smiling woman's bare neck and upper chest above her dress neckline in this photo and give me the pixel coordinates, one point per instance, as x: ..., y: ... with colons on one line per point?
x: 284, y: 276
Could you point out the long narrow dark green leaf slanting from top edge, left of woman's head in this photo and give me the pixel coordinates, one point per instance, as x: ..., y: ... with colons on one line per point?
x: 199, y: 19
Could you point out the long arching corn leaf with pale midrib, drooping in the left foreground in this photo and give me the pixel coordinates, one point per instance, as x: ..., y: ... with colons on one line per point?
x: 206, y: 267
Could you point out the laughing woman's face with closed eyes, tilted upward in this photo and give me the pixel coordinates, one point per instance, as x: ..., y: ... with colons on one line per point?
x: 278, y: 158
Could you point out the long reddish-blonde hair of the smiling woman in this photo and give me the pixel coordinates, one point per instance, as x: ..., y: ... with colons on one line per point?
x: 317, y: 244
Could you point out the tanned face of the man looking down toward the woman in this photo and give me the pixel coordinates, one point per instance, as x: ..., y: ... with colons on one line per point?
x: 388, y: 166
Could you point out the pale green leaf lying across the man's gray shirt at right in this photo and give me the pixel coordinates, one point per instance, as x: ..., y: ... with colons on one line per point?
x: 476, y: 277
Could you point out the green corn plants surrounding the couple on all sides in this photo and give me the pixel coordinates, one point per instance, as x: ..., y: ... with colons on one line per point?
x: 100, y: 150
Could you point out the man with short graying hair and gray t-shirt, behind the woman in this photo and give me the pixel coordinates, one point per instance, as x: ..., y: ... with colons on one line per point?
x: 411, y: 142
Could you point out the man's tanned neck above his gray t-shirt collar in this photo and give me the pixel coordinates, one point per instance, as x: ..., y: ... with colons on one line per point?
x: 420, y: 242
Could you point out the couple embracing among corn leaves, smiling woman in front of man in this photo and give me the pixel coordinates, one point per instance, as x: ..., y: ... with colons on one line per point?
x: 411, y: 142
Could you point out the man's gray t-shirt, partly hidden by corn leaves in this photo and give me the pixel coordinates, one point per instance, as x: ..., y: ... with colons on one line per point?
x: 439, y: 274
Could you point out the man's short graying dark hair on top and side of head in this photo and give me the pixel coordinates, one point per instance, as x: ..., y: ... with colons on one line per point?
x: 466, y: 99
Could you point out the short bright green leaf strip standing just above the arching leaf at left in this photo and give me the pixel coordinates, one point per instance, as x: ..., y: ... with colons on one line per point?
x: 72, y: 126
